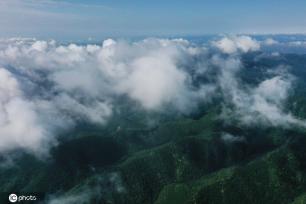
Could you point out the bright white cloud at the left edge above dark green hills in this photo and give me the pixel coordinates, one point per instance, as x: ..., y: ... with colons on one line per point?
x: 19, y: 123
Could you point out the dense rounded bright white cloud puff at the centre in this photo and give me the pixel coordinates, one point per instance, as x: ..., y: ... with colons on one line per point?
x: 153, y: 81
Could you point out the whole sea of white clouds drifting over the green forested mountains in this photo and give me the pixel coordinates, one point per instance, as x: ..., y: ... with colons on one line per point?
x: 47, y: 87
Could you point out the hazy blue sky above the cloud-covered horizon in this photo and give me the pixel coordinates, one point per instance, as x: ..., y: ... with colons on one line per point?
x: 80, y: 19
